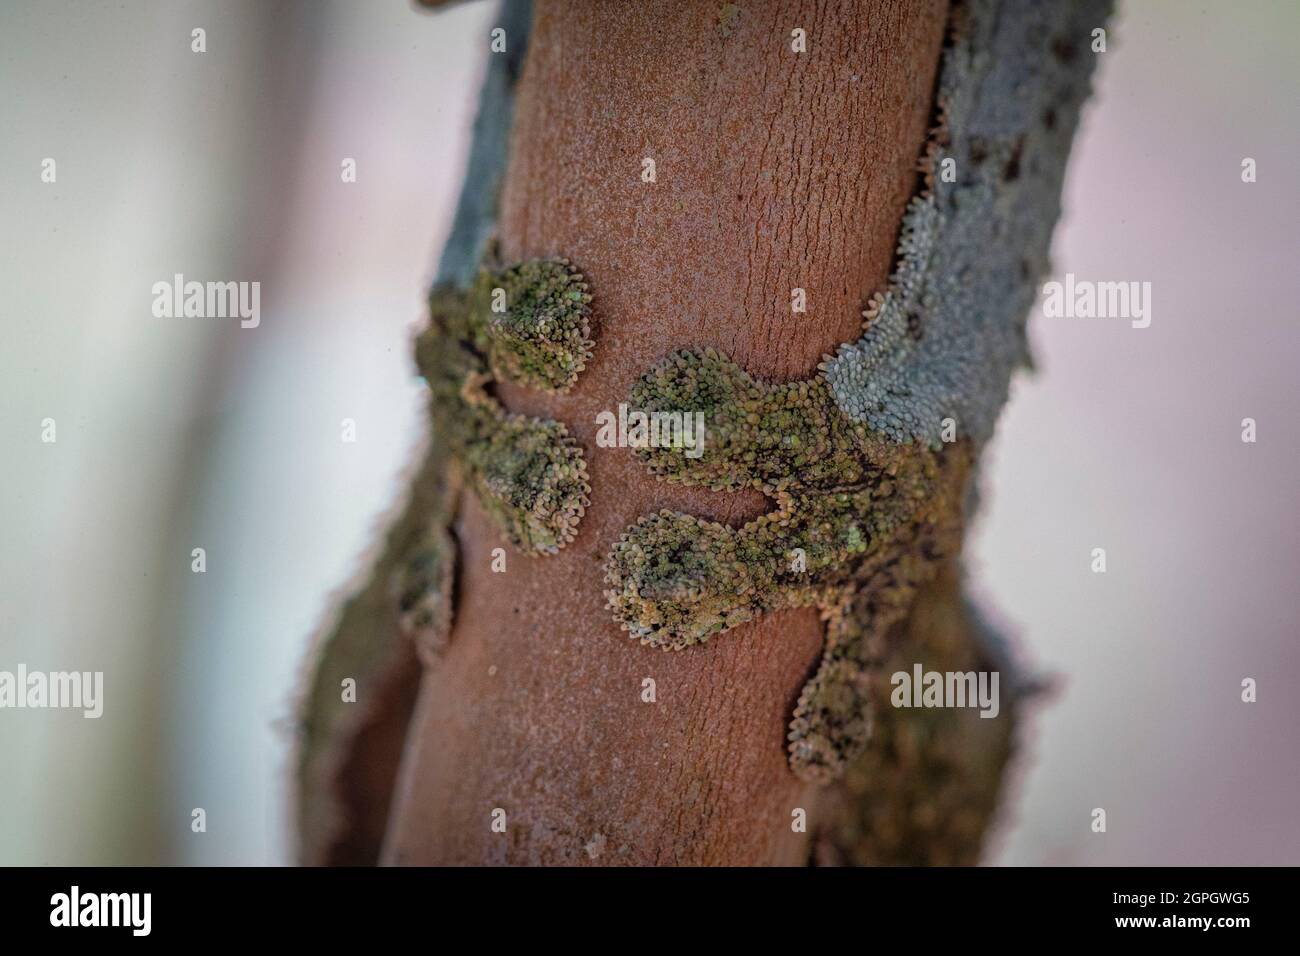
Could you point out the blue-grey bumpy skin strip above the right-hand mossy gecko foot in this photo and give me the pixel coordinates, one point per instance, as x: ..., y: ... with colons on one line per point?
x: 950, y: 331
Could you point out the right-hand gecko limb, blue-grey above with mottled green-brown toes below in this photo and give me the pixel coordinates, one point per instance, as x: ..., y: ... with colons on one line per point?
x: 869, y: 501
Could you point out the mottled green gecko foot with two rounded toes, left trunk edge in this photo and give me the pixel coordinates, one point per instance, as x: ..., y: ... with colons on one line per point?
x: 530, y: 474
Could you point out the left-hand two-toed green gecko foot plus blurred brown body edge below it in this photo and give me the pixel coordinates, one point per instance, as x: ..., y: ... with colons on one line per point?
x: 530, y: 325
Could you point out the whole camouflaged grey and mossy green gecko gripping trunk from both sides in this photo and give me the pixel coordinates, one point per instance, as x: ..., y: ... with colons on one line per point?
x: 865, y: 491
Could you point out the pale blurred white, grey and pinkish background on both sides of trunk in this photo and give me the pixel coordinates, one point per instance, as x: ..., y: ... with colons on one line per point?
x: 183, y: 434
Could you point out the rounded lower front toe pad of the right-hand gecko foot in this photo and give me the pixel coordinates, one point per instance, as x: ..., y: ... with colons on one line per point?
x: 677, y: 581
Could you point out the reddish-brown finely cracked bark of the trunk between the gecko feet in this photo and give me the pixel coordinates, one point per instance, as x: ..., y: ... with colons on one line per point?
x: 774, y: 171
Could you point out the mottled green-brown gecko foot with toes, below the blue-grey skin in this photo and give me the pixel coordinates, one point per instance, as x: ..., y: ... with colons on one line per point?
x: 852, y: 513
